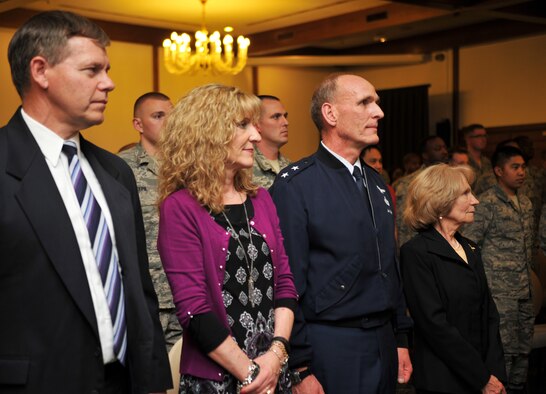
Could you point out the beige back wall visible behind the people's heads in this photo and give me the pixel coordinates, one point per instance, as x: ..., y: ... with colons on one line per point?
x: 501, y: 84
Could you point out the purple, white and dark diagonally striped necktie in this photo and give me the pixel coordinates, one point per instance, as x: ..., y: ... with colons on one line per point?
x: 105, y: 256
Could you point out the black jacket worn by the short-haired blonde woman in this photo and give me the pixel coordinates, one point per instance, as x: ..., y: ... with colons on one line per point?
x: 457, y: 341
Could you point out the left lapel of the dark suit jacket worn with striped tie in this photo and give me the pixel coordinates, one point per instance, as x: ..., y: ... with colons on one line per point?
x: 41, y: 202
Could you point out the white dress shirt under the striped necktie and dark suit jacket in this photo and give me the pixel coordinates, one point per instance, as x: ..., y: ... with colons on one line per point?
x: 51, y: 146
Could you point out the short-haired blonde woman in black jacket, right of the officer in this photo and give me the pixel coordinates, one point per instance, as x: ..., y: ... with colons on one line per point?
x: 457, y: 347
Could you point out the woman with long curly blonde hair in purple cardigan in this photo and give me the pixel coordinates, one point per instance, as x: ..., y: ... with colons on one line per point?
x: 222, y: 249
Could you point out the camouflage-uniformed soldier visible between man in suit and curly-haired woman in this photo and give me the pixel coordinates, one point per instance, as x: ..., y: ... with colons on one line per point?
x: 149, y: 113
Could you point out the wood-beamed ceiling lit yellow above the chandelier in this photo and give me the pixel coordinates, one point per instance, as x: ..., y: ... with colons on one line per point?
x: 310, y: 27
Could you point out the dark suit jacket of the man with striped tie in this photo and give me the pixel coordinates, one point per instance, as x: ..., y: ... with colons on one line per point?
x: 48, y: 336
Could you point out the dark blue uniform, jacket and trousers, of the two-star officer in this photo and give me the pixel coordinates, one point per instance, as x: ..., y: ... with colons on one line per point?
x: 342, y: 253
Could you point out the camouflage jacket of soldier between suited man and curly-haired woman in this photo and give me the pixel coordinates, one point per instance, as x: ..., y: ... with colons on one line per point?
x: 145, y: 169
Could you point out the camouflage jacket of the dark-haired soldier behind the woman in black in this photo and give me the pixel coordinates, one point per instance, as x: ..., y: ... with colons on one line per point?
x: 504, y: 234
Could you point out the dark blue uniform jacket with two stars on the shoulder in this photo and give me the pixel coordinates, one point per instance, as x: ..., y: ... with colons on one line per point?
x: 342, y: 256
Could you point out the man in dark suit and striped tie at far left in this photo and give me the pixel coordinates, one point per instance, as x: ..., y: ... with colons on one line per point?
x: 79, y: 313
